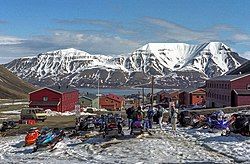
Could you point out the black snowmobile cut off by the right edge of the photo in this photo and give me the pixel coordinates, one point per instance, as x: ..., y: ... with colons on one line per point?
x: 241, y: 124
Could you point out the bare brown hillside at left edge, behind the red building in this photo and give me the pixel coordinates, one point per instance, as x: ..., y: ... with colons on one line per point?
x: 12, y: 87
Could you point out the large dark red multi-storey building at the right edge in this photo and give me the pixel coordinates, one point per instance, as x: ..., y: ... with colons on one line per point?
x: 220, y: 90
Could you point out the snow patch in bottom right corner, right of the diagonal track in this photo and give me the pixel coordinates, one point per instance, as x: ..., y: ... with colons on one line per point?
x: 234, y: 146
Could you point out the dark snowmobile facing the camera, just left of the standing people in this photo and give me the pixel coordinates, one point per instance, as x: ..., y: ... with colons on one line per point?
x: 112, y: 127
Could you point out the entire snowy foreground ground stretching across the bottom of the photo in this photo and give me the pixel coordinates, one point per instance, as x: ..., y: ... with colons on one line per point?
x: 188, y: 145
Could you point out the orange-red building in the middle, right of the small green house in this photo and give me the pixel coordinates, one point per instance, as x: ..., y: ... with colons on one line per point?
x: 112, y: 102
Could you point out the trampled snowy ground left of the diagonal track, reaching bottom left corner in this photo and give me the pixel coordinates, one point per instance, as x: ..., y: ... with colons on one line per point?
x: 158, y: 148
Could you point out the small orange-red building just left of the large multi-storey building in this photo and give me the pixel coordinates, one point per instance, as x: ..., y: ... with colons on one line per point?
x: 193, y: 97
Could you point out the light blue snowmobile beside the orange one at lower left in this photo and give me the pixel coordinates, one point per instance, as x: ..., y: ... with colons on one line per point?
x: 48, y: 139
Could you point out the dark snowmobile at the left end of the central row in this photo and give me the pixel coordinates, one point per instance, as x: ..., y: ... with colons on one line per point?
x: 86, y: 124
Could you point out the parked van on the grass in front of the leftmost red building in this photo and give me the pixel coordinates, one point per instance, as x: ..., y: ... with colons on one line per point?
x: 33, y: 113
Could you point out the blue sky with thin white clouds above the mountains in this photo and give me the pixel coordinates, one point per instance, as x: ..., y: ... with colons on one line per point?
x: 116, y: 27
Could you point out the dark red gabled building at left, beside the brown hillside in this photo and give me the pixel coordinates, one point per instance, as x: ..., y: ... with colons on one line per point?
x: 58, y: 99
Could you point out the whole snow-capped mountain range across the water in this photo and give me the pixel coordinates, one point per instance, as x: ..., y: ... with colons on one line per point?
x: 173, y: 65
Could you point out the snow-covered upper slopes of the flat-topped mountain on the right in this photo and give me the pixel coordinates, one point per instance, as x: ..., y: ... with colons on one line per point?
x: 181, y: 56
